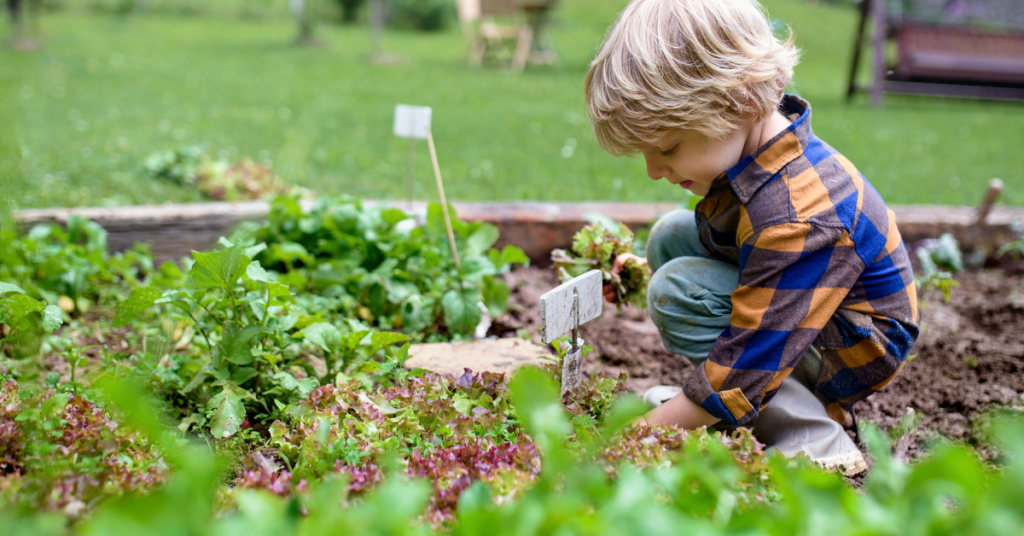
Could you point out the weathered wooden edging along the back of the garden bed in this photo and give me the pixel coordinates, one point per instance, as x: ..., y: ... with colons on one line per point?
x: 174, y: 231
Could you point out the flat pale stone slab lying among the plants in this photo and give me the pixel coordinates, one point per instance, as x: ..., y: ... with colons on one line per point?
x: 502, y: 356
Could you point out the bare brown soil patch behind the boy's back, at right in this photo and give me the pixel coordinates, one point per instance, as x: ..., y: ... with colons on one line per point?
x: 970, y: 360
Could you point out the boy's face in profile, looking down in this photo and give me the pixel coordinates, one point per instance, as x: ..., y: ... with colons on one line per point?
x: 693, y: 160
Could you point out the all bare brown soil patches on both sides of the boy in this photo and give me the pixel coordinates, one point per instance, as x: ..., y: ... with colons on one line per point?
x: 970, y: 358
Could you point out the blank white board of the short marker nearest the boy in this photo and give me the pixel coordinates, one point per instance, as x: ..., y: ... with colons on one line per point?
x: 558, y: 318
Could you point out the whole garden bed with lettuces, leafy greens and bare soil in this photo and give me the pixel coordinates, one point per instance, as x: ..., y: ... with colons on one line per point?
x: 280, y: 353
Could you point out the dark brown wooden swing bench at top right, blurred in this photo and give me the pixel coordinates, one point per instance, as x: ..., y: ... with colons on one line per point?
x: 945, y: 54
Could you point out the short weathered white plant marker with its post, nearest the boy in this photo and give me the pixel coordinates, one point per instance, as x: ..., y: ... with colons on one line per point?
x: 565, y: 309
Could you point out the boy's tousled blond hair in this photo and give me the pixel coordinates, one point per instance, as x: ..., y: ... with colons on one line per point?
x: 708, y: 66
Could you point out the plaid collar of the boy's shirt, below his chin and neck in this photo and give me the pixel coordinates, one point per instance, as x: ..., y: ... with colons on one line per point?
x: 760, y: 167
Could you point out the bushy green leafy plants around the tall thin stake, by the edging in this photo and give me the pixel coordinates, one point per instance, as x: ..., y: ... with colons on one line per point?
x: 375, y: 265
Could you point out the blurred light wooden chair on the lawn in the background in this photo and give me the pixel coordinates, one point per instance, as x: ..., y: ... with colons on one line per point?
x: 497, y: 32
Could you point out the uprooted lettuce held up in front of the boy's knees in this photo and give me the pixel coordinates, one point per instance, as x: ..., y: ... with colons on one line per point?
x: 596, y: 249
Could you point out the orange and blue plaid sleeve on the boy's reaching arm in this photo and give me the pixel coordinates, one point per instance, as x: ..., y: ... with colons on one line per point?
x: 793, y: 277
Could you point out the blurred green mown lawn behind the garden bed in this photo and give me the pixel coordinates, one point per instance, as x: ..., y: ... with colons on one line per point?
x: 103, y: 93
